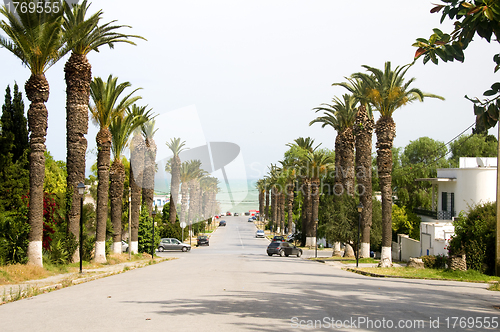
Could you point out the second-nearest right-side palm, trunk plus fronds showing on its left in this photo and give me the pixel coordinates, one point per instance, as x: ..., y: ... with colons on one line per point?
x: 363, y: 132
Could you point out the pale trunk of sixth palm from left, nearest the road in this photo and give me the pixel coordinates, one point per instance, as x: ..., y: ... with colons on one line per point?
x: 148, y: 131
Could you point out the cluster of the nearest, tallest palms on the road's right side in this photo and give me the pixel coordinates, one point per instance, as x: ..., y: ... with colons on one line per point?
x: 384, y: 91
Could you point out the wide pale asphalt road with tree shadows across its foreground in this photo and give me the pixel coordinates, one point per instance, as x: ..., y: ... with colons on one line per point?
x: 233, y: 285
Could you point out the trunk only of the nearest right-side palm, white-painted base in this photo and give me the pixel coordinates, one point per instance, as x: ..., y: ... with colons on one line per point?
x: 386, y: 131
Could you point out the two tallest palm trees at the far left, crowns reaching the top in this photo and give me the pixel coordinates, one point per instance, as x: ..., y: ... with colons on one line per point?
x: 39, y: 40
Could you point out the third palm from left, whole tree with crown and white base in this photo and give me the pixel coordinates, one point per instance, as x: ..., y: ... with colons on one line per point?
x: 105, y: 96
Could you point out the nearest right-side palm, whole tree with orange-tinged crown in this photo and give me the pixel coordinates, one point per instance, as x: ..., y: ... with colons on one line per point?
x: 387, y: 91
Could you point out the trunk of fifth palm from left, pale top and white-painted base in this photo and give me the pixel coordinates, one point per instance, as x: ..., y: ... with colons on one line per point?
x: 137, y: 147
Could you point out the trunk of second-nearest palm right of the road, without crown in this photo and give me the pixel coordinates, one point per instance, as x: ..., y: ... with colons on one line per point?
x: 363, y: 128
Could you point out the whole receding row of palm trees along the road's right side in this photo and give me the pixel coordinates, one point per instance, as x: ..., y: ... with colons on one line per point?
x: 351, y: 117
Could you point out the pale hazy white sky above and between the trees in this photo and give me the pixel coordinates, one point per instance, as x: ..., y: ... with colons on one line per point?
x: 250, y: 72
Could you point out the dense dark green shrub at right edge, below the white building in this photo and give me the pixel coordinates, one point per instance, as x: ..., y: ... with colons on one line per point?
x: 475, y: 236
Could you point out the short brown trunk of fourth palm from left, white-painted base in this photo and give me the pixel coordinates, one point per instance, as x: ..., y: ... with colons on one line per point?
x: 117, y: 176
